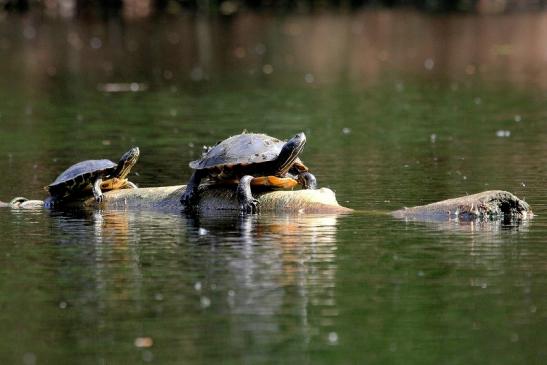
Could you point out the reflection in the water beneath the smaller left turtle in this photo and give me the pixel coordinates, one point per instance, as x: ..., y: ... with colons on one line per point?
x: 104, y: 267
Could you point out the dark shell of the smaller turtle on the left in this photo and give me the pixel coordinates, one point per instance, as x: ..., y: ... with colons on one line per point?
x: 80, y: 175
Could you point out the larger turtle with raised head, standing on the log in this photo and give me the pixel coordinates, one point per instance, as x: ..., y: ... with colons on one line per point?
x: 250, y: 159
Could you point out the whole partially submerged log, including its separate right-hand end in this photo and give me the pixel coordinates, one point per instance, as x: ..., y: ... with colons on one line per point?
x: 493, y: 204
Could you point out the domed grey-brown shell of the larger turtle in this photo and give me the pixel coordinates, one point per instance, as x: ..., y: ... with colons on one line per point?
x: 241, y: 149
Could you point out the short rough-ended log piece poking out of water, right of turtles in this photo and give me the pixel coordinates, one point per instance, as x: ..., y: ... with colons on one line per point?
x: 491, y: 204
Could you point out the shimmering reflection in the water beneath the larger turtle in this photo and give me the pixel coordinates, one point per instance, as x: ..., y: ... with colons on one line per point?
x: 273, y: 269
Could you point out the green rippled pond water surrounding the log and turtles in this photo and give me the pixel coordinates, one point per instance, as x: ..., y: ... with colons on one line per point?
x: 399, y: 108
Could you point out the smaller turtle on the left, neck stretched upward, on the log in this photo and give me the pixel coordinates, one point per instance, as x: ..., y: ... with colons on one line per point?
x: 95, y: 174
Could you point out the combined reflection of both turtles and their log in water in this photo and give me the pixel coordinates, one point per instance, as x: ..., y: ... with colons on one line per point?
x: 263, y: 273
